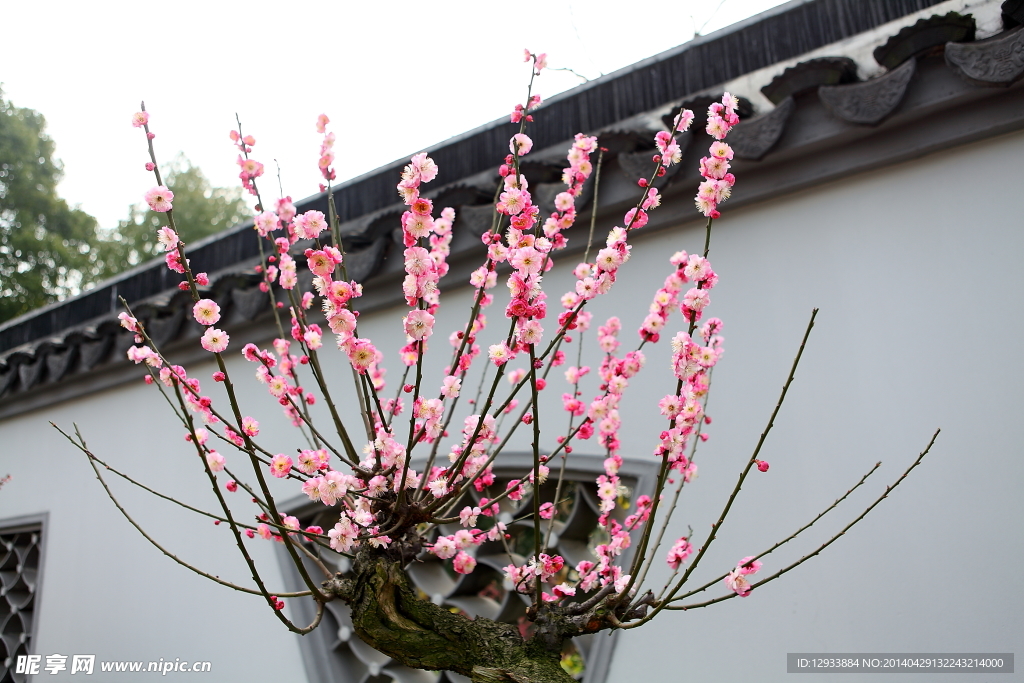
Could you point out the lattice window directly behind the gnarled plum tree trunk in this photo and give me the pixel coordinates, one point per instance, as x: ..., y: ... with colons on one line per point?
x: 334, y: 653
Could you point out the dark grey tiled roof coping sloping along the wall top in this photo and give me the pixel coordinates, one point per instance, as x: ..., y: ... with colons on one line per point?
x: 78, y: 336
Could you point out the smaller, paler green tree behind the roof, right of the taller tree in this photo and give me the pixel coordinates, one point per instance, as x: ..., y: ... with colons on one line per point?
x: 199, y: 212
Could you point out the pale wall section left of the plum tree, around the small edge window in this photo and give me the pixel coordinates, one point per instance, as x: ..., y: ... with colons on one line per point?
x: 106, y: 591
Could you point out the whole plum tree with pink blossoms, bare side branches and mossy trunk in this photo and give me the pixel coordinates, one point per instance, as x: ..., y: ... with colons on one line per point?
x: 390, y: 513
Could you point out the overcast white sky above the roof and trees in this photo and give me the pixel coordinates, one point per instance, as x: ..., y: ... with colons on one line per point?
x: 395, y: 77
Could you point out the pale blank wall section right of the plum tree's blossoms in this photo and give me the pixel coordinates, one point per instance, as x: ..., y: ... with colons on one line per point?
x: 918, y: 278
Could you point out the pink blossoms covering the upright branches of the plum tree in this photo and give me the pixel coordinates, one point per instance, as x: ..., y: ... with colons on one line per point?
x: 364, y: 487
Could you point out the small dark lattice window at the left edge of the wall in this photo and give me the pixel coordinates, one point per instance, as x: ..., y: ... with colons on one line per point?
x: 21, y: 552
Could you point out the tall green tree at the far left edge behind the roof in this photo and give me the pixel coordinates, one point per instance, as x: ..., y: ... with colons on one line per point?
x: 46, y: 246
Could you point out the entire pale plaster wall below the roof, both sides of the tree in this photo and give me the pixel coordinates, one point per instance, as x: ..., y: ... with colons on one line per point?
x: 915, y: 269
